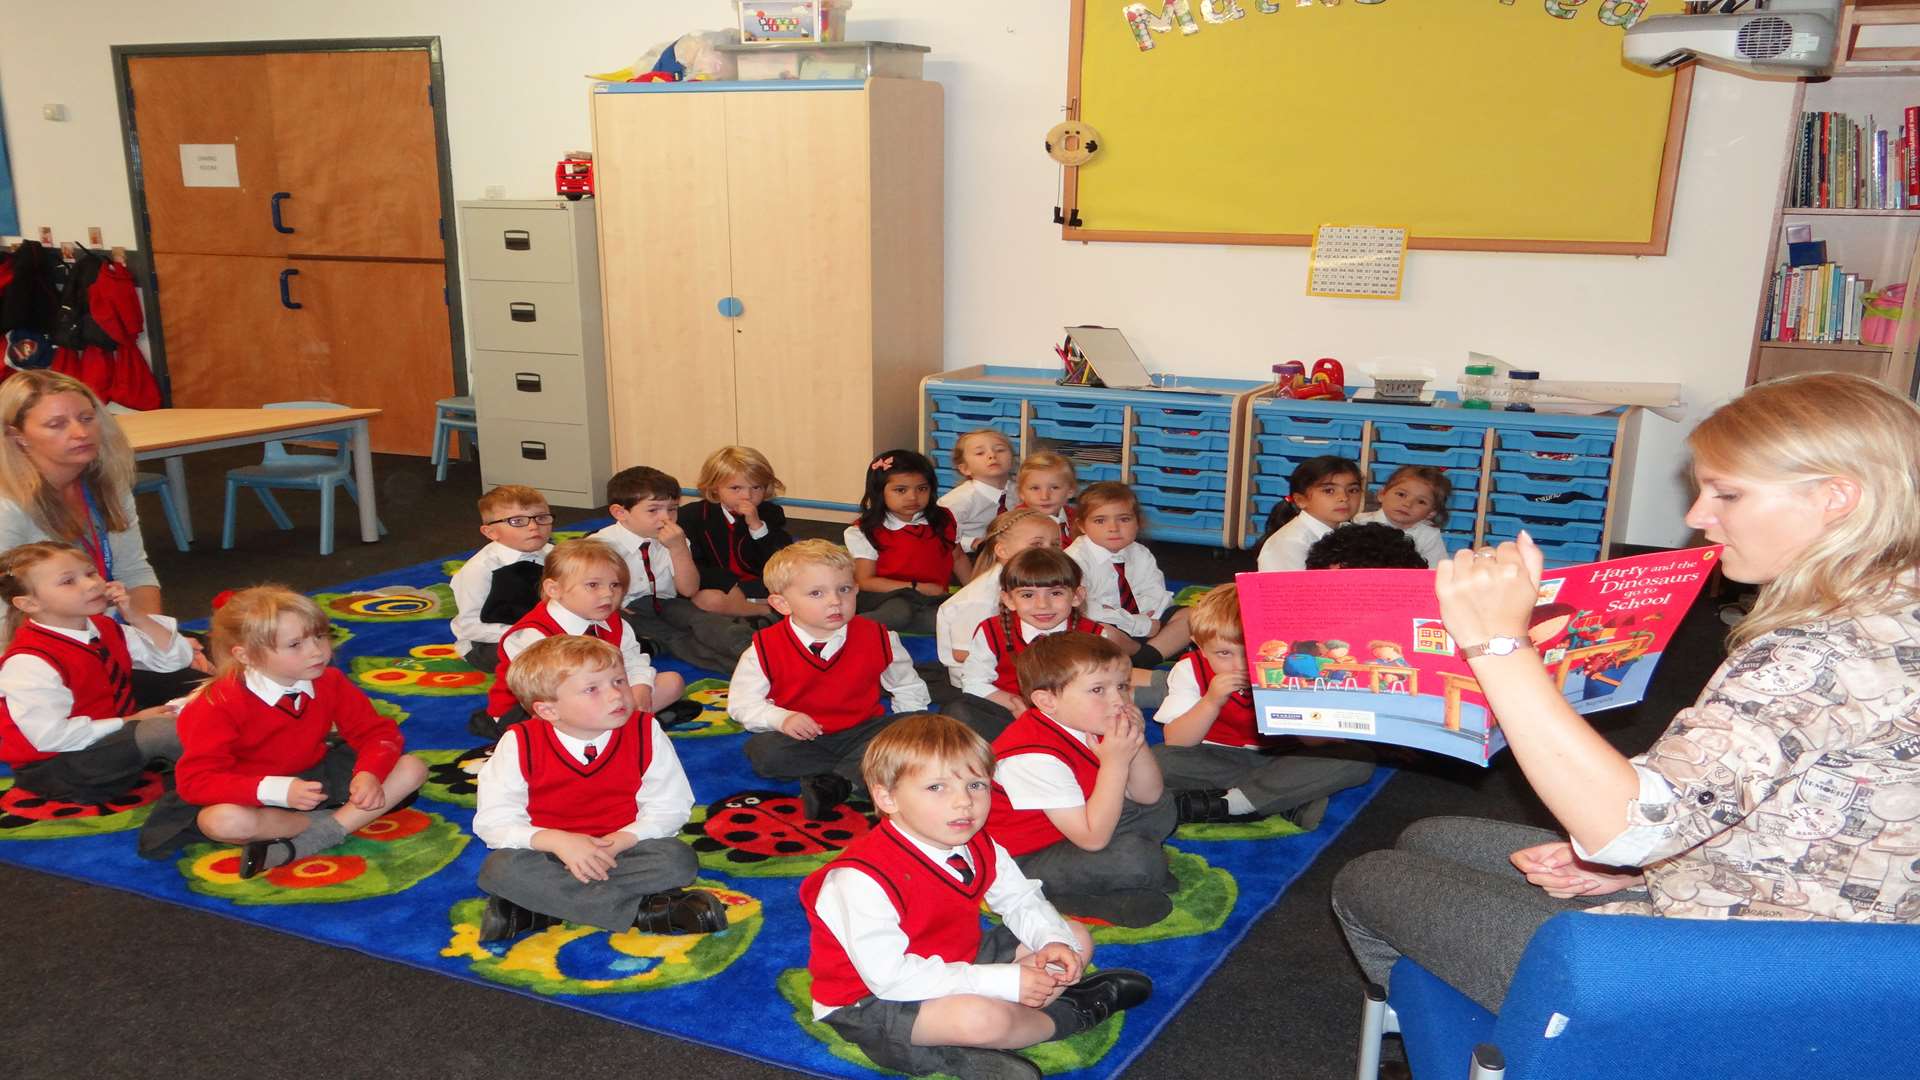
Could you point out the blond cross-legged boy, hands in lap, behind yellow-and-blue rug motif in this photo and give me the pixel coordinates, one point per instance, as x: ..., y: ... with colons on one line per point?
x: 583, y: 806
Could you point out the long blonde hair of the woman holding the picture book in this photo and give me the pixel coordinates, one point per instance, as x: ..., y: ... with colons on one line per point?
x: 1813, y: 428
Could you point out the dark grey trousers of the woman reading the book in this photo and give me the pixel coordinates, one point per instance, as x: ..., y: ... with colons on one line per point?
x: 1449, y: 898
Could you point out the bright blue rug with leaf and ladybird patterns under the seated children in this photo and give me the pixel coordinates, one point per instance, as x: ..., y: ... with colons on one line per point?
x: 404, y: 887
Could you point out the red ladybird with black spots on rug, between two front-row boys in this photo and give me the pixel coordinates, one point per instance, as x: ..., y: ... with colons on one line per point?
x: 767, y: 835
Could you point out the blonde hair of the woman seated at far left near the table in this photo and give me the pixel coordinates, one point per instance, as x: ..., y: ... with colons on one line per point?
x: 110, y: 474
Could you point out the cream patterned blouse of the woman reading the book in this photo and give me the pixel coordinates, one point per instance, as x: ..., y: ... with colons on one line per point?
x: 1792, y: 787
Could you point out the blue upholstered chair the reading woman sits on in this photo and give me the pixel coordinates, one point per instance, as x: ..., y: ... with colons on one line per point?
x: 1606, y: 996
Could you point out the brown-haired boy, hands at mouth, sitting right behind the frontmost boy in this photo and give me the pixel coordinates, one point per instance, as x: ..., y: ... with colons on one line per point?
x: 1076, y: 795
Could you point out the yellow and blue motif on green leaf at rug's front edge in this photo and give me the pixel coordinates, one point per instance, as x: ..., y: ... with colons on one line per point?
x: 569, y: 960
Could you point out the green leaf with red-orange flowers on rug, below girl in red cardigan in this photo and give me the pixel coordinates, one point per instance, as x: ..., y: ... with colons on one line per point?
x: 389, y: 856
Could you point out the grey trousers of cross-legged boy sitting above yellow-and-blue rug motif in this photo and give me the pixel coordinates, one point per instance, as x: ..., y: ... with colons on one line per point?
x: 542, y: 883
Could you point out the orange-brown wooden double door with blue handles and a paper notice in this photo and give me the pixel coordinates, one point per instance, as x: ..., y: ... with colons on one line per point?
x: 297, y: 230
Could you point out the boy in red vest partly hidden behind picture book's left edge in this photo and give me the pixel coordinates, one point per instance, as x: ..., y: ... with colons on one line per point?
x: 1214, y: 758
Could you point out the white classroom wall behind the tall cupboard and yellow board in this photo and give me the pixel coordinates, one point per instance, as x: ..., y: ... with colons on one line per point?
x: 517, y: 101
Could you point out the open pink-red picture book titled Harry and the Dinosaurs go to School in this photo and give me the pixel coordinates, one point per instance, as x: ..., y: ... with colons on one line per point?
x: 1362, y: 654
